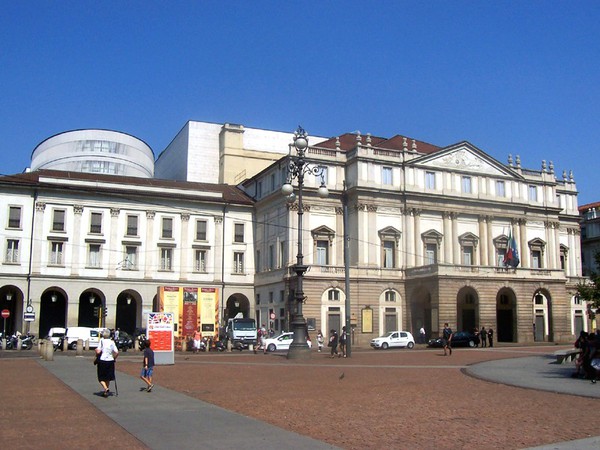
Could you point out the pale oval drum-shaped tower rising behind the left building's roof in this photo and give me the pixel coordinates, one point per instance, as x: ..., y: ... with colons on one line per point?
x: 95, y: 151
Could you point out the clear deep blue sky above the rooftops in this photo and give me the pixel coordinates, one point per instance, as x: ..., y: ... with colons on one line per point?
x: 520, y: 77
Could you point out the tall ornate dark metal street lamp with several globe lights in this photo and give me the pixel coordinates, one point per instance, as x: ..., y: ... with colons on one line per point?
x: 297, y: 168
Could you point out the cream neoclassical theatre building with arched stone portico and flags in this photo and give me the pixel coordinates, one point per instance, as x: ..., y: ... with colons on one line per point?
x: 429, y: 229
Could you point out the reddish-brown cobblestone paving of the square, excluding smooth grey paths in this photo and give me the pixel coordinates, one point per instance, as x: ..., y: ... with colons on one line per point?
x: 376, y: 399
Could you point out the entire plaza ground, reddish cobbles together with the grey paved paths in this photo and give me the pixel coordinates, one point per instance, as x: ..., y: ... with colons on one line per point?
x: 207, y: 401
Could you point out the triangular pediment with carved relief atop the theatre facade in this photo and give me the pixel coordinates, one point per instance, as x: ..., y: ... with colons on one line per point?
x: 465, y: 157
